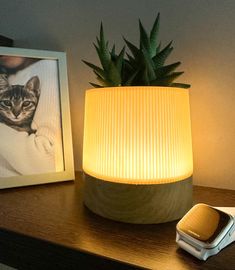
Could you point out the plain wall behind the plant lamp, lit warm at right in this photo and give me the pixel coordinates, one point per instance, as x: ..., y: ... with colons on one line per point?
x: 204, y: 40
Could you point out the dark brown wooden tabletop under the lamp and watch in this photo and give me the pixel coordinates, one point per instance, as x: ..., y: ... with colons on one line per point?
x: 48, y: 227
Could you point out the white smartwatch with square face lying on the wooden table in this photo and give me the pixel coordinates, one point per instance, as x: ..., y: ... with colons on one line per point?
x: 205, y: 230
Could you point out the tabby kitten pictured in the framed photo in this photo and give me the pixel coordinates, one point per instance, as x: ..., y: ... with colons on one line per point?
x: 18, y: 103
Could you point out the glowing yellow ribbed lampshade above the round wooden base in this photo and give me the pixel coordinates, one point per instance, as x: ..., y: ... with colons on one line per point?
x: 139, y: 135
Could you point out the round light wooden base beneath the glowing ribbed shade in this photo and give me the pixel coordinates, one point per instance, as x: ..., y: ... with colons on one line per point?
x: 140, y: 204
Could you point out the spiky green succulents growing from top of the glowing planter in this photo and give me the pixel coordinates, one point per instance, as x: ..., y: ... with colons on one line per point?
x: 144, y: 66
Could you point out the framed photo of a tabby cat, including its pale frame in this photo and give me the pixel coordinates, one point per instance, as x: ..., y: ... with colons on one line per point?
x: 35, y: 126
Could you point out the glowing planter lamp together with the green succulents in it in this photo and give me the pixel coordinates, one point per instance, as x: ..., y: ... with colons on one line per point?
x: 137, y: 153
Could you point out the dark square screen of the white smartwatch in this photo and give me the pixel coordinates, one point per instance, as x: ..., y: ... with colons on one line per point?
x: 203, y: 223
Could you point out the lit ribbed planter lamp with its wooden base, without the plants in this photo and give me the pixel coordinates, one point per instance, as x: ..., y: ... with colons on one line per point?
x: 137, y: 153
